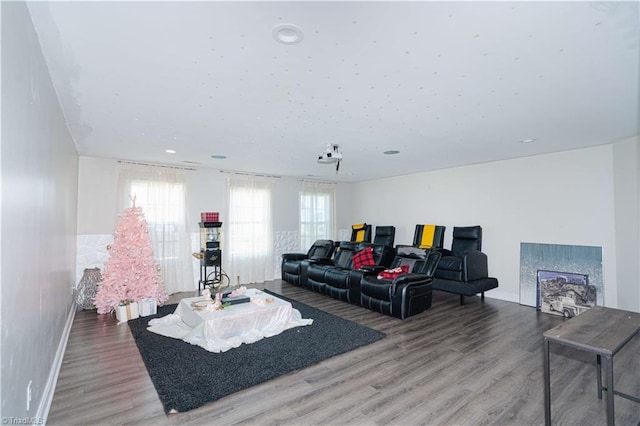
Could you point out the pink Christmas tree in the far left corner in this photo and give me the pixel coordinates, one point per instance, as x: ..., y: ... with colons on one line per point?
x: 131, y: 273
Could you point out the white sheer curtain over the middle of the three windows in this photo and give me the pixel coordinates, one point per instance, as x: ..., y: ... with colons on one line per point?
x: 248, y: 232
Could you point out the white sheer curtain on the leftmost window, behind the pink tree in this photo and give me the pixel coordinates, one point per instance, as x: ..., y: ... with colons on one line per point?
x: 160, y: 192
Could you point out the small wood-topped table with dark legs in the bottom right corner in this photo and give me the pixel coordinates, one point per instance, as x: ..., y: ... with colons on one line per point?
x: 601, y: 331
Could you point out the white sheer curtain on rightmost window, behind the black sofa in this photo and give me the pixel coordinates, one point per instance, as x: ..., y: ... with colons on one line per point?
x: 317, y: 212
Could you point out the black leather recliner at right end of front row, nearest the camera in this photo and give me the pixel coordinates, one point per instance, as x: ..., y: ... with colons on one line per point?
x: 407, y: 294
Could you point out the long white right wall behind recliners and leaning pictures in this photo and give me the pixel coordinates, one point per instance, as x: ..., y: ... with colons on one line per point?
x: 561, y: 198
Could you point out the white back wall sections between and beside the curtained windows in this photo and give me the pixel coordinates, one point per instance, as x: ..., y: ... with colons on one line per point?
x: 97, y: 211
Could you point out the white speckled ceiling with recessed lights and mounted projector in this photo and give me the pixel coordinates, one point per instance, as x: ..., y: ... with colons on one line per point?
x: 445, y: 83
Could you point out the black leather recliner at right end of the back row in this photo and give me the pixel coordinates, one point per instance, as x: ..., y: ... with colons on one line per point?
x: 463, y: 269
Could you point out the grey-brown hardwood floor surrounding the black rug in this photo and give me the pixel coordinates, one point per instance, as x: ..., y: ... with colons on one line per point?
x: 476, y: 364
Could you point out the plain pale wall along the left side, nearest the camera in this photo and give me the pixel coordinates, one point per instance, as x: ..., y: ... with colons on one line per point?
x: 39, y: 202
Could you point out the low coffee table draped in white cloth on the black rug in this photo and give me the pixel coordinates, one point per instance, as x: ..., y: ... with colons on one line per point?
x: 221, y: 330
